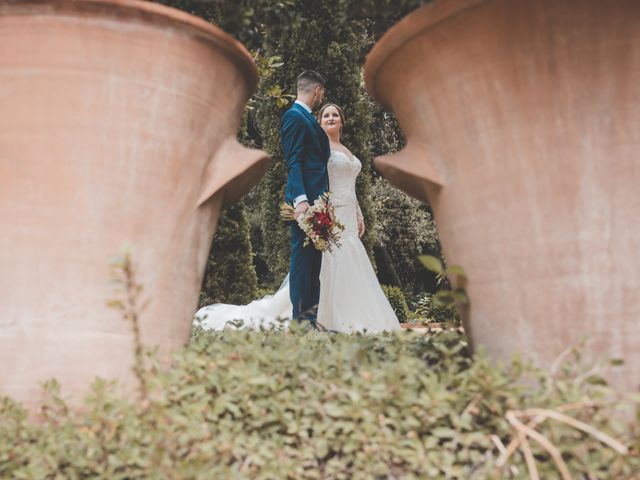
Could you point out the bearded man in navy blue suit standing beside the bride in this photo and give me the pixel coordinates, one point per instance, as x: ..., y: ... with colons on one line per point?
x: 306, y: 150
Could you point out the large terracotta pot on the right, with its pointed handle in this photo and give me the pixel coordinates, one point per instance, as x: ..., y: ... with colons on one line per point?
x: 522, y: 121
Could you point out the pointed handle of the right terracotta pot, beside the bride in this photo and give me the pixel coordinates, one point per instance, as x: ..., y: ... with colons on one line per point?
x: 411, y: 170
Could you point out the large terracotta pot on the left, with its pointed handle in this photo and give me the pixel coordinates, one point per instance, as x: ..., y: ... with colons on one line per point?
x: 118, y: 123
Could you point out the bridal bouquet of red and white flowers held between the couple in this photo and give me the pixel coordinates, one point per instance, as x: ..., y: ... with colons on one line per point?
x: 319, y: 223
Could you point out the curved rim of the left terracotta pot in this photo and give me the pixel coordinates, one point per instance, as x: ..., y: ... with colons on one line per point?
x: 235, y: 50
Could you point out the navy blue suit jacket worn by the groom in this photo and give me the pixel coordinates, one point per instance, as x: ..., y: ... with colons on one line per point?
x: 306, y: 150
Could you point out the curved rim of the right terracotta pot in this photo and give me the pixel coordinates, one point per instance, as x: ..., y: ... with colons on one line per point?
x: 404, y: 31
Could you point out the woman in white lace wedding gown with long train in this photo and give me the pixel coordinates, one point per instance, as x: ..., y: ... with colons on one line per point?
x: 351, y: 299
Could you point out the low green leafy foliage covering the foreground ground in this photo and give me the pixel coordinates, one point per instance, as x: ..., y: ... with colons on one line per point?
x: 294, y: 405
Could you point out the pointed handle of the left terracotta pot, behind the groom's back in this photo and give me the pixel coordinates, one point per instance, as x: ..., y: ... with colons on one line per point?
x: 232, y: 171
